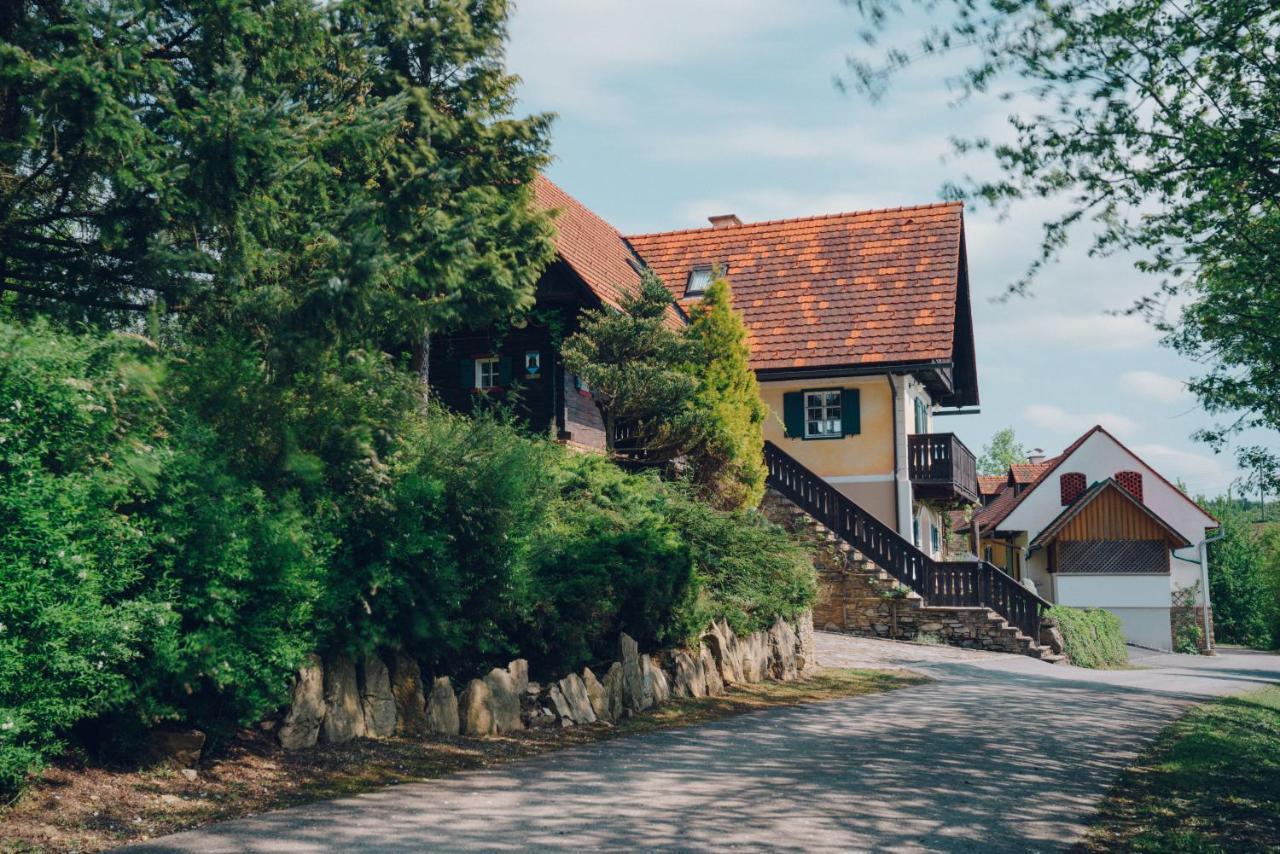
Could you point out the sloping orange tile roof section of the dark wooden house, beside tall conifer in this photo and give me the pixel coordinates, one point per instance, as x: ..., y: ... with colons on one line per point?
x: 589, y: 245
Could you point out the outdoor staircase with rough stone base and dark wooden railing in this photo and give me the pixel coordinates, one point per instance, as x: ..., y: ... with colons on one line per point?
x: 876, y: 583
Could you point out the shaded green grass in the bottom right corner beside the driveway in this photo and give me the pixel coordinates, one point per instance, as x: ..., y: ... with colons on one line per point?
x: 1210, y: 783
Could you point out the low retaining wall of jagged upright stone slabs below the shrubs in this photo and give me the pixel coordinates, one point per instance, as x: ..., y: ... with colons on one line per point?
x: 339, y: 700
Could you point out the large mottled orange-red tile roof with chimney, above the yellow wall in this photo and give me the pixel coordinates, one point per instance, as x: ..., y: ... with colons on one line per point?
x: 831, y: 291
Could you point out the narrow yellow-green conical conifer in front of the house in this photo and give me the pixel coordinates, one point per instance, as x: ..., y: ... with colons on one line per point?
x: 729, y: 415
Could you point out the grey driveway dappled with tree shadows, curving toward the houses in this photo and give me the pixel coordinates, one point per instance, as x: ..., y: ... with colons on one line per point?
x: 999, y: 753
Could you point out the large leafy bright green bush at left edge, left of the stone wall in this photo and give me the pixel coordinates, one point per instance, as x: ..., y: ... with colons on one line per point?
x: 141, y: 581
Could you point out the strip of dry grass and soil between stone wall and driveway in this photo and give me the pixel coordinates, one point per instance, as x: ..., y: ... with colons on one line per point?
x: 85, y: 809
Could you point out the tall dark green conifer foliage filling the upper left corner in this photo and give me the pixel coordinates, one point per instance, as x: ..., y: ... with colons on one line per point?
x: 303, y: 173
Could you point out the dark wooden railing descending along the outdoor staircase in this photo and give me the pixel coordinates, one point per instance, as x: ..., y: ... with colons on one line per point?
x: 940, y: 583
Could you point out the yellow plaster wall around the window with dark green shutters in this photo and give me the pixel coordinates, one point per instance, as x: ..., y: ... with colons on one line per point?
x: 871, y: 453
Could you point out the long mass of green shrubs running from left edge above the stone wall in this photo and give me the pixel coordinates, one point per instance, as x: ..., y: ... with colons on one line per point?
x: 156, y: 569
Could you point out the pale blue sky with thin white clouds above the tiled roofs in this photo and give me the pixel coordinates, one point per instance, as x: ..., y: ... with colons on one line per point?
x: 675, y: 111
